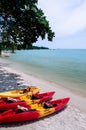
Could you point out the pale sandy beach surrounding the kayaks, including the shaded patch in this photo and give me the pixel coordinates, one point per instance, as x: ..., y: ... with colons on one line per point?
x: 71, y: 118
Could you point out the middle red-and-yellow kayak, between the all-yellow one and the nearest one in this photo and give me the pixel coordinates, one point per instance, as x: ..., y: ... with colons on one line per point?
x: 10, y: 103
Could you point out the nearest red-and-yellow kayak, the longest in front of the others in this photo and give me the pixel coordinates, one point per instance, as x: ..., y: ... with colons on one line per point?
x: 37, y: 111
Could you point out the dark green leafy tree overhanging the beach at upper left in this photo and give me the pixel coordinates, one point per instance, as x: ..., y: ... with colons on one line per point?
x: 24, y: 22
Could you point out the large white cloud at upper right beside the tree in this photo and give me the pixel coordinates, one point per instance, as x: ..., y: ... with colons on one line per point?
x: 66, y: 17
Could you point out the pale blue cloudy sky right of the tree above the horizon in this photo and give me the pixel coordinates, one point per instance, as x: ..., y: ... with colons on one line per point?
x: 67, y: 18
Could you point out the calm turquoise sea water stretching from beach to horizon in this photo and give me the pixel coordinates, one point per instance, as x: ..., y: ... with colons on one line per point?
x: 64, y: 67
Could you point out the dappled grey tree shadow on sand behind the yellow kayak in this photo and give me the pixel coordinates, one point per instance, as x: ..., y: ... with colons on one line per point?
x: 10, y: 81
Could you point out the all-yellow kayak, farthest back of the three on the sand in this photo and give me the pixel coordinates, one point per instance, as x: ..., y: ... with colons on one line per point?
x: 20, y: 92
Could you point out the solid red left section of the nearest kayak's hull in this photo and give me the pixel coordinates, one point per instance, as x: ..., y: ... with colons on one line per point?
x: 10, y: 116
